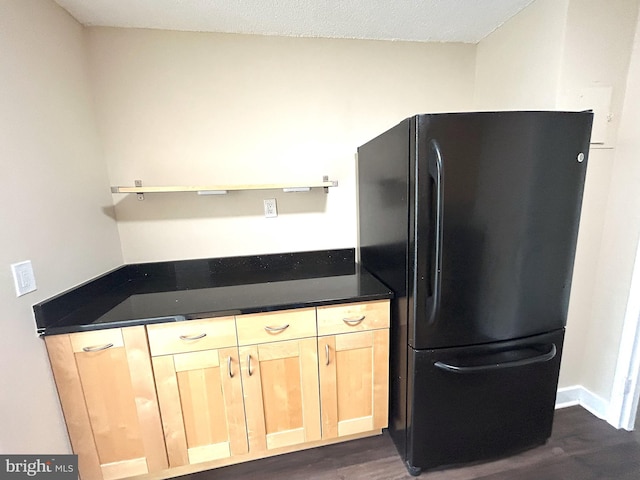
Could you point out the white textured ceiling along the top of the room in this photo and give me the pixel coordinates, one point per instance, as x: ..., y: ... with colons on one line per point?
x: 412, y: 20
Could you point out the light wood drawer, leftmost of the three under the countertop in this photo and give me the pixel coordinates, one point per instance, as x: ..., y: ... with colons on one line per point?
x: 192, y: 335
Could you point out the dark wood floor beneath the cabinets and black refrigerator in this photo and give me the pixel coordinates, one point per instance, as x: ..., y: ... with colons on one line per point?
x: 581, y: 447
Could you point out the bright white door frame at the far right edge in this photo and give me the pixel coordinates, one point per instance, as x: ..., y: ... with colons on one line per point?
x: 626, y: 383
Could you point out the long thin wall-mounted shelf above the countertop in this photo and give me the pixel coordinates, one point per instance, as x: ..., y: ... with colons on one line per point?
x: 140, y: 190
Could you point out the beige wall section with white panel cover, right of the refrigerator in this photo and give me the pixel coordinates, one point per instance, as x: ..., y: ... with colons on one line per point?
x: 598, y: 44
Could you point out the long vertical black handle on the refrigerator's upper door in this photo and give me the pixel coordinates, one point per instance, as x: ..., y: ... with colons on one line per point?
x: 435, y: 168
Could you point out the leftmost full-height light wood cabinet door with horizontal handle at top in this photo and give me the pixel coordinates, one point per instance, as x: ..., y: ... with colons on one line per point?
x: 106, y: 389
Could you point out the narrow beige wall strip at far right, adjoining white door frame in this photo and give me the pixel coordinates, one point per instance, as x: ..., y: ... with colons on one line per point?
x: 619, y: 241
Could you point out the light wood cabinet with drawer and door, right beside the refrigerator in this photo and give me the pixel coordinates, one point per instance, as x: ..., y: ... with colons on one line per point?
x: 353, y: 346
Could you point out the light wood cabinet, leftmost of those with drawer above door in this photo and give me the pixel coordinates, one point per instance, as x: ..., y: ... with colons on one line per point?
x: 197, y: 376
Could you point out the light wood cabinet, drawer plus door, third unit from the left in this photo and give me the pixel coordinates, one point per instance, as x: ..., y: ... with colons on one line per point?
x: 280, y: 378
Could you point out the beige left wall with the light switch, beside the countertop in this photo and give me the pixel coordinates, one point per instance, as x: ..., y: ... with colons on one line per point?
x: 54, y: 205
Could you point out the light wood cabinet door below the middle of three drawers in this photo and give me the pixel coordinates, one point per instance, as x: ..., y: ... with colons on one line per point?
x: 280, y: 382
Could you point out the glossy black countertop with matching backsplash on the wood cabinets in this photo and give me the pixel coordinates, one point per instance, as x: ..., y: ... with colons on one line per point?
x: 138, y: 294
